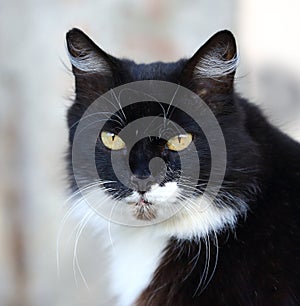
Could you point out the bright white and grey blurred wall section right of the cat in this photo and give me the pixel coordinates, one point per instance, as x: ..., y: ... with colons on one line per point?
x: 269, y: 38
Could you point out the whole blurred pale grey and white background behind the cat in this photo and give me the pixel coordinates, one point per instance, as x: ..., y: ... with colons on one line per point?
x: 35, y: 91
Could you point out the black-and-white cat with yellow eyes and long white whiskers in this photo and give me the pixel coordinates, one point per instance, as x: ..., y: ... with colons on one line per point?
x: 238, y: 247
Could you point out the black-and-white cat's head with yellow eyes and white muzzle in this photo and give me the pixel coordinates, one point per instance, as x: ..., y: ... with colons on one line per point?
x: 126, y: 138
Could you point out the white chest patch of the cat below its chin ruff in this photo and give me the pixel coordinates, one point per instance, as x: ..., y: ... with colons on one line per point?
x: 135, y: 255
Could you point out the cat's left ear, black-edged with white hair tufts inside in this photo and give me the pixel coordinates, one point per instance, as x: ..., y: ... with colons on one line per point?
x: 93, y: 68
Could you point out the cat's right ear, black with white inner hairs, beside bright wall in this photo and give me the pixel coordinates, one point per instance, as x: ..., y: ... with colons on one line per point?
x: 213, y: 66
